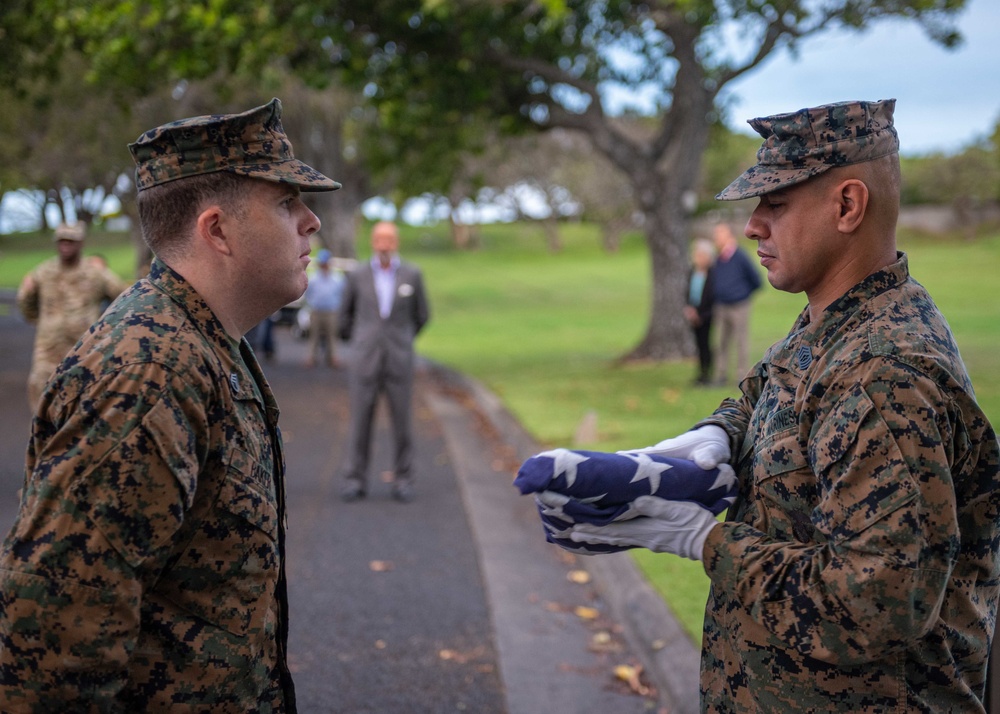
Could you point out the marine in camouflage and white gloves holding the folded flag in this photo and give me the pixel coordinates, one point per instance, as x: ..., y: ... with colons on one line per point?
x: 858, y: 569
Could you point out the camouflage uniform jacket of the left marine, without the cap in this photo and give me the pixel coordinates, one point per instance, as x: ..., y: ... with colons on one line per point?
x: 145, y: 570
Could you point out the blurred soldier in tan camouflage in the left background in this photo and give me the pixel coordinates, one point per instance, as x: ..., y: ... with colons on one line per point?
x: 64, y: 295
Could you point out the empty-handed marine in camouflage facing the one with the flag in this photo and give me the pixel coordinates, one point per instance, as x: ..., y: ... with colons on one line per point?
x: 146, y: 569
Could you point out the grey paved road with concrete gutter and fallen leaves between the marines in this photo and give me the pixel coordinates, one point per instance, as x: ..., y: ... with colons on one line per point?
x: 452, y: 603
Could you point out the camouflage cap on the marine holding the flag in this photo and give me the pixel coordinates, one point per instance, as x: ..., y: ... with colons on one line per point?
x: 805, y: 143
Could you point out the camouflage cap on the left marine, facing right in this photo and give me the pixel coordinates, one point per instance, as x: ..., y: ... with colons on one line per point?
x: 250, y: 144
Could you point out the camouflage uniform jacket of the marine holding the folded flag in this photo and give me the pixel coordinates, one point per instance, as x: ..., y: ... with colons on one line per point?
x: 858, y: 570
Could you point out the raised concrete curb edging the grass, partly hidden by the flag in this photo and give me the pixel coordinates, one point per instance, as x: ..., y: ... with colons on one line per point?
x: 670, y: 659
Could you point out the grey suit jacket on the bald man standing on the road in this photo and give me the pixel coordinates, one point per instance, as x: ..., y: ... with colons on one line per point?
x: 383, y: 345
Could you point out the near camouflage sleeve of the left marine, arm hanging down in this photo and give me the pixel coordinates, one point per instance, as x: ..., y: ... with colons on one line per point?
x: 106, y: 494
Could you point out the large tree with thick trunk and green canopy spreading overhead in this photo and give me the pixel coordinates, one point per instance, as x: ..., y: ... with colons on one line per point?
x: 439, y: 70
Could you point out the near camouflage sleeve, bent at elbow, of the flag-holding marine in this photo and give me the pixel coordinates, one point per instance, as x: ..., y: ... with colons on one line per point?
x: 871, y: 576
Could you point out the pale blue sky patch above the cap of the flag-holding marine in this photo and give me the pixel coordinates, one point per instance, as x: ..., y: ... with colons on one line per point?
x: 946, y: 99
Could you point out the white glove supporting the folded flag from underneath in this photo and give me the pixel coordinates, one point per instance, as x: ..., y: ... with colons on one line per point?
x: 678, y: 527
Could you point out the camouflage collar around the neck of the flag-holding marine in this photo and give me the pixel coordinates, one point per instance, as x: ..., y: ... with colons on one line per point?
x: 807, y: 340
